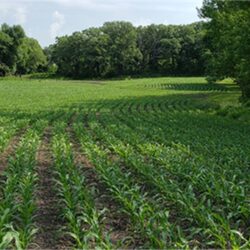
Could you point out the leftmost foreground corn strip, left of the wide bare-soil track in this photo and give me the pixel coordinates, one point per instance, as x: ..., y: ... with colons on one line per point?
x: 18, y: 202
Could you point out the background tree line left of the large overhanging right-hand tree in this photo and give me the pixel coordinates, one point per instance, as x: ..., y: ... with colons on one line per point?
x: 115, y: 49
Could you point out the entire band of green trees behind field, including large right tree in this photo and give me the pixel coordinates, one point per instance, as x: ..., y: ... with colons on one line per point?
x: 218, y: 47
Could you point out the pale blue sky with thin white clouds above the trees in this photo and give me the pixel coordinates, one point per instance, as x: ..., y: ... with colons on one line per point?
x: 47, y: 19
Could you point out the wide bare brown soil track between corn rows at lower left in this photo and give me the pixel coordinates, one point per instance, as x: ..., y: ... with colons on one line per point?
x: 47, y: 217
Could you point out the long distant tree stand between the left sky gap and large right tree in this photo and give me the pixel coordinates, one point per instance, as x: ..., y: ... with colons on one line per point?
x: 119, y: 48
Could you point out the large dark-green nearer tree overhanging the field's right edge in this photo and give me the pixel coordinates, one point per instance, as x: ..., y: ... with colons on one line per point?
x: 228, y: 41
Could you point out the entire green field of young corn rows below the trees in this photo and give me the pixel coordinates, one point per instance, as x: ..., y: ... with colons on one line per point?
x: 137, y: 163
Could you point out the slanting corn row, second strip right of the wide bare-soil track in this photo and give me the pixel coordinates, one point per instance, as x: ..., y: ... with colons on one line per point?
x: 151, y: 224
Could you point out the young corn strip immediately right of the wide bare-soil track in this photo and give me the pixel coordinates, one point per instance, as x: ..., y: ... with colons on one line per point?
x: 83, y: 219
